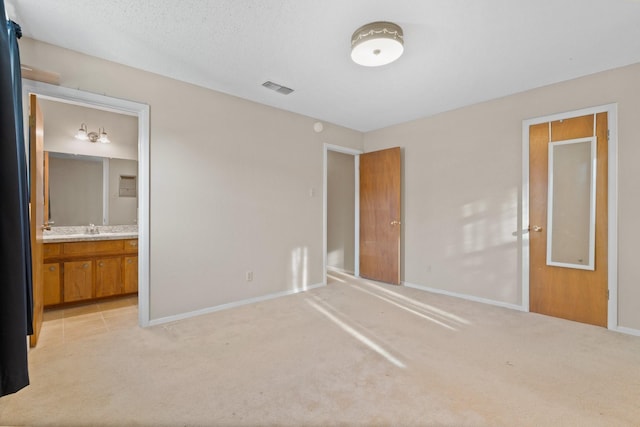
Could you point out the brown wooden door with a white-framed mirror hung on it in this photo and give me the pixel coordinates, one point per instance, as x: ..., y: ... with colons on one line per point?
x: 569, y: 293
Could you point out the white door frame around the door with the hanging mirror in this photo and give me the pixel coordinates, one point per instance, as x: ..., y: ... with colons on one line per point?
x: 612, y: 120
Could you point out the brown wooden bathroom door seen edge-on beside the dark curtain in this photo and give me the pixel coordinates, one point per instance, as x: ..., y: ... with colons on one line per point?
x: 36, y: 206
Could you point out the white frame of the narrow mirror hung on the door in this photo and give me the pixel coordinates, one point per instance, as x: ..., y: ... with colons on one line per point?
x: 590, y: 265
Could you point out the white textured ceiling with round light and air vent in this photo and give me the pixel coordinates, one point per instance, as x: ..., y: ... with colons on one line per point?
x: 457, y: 52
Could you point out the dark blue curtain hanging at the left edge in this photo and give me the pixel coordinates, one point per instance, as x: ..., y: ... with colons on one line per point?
x: 15, y: 246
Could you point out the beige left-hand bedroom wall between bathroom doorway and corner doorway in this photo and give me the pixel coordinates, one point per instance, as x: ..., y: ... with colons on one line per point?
x: 230, y: 185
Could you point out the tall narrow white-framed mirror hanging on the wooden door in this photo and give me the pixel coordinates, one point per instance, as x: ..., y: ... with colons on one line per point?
x: 571, y: 204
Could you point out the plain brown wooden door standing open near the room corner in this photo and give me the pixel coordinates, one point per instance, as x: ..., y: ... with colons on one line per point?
x: 380, y: 179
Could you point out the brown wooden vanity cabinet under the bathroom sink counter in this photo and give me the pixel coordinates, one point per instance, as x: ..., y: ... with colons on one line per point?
x: 79, y: 271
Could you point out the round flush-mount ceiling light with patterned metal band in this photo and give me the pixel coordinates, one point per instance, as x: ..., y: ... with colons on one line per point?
x: 377, y: 43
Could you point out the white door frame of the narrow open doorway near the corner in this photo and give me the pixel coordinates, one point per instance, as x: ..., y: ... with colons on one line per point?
x: 356, y: 248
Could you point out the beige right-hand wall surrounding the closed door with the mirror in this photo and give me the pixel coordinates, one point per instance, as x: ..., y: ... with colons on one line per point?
x: 462, y: 176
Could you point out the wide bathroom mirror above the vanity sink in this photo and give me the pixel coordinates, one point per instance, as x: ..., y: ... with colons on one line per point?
x: 85, y: 190
